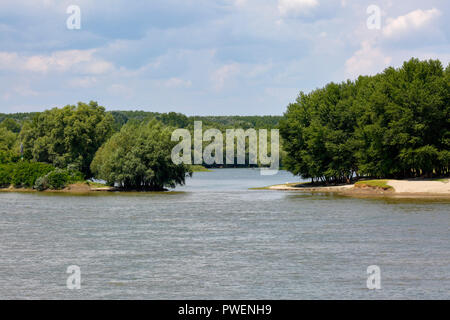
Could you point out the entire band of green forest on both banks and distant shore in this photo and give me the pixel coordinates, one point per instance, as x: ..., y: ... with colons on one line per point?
x: 391, y: 125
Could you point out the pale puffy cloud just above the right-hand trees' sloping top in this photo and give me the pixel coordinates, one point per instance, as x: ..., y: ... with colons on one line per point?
x: 366, y: 61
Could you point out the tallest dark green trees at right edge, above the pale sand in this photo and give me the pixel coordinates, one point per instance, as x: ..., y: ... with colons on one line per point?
x: 406, y: 121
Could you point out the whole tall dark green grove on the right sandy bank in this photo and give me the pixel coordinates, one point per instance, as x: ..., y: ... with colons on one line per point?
x: 391, y: 125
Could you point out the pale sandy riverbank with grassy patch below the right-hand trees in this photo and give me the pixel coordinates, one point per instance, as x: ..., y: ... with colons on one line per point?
x: 392, y: 188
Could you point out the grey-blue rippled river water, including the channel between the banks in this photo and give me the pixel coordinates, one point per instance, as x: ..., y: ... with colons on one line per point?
x: 215, y: 239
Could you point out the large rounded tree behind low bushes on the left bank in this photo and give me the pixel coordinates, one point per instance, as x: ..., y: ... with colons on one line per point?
x: 67, y: 136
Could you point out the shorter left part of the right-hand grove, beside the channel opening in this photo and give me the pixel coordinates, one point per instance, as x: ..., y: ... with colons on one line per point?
x: 318, y: 132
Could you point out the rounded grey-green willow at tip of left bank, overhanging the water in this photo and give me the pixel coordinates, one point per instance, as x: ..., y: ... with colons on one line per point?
x: 139, y: 158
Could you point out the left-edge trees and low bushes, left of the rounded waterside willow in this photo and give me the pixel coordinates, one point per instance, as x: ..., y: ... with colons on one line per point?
x: 52, y: 148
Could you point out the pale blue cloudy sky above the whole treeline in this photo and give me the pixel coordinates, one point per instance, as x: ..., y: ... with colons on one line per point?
x: 205, y: 57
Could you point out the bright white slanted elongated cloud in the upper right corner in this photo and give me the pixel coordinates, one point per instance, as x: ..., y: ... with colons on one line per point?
x: 410, y: 22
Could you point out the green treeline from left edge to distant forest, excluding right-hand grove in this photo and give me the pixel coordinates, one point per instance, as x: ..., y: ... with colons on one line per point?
x: 128, y: 149
